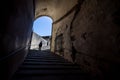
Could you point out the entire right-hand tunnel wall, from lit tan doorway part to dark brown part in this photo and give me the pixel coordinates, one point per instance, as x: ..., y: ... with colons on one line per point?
x: 92, y: 38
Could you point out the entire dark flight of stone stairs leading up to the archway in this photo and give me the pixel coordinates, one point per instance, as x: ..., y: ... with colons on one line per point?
x: 43, y: 65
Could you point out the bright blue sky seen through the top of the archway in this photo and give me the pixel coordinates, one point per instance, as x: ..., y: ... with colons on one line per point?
x: 43, y: 26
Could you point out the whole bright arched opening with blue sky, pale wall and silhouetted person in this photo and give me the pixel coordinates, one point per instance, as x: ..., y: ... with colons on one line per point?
x: 42, y: 28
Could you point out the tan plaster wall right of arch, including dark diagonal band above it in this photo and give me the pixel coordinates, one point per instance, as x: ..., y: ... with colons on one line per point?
x: 64, y: 27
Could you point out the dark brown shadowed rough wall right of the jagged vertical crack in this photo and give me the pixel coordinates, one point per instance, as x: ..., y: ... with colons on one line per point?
x: 96, y: 33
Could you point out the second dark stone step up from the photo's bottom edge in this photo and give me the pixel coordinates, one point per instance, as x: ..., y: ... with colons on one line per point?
x: 49, y: 72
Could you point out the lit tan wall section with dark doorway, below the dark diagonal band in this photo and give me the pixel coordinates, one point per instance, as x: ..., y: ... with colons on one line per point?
x: 62, y: 29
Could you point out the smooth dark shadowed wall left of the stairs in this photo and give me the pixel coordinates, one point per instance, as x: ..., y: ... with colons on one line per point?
x: 15, y: 34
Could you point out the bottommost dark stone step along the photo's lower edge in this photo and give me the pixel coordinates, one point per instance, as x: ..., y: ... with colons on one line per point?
x: 52, y: 77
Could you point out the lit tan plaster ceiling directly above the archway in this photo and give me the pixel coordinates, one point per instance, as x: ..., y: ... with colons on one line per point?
x: 53, y: 8
